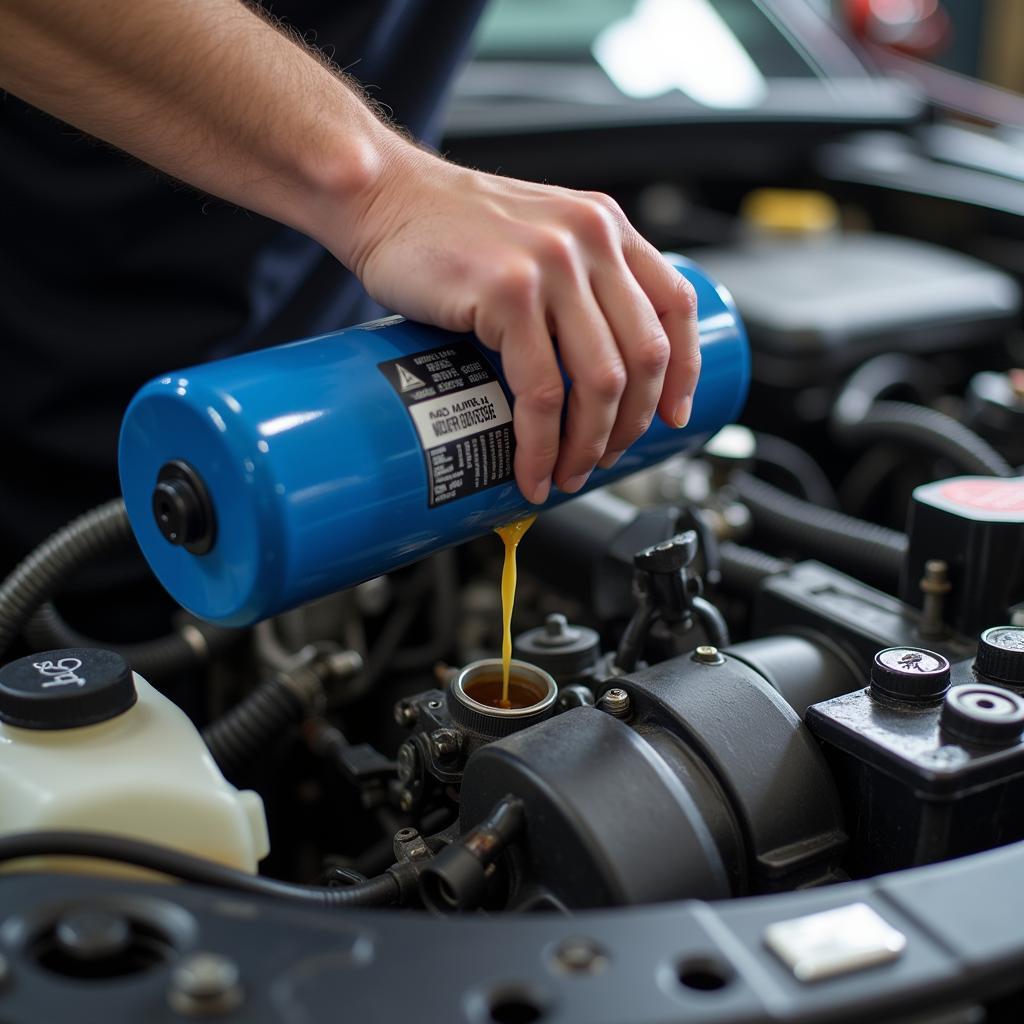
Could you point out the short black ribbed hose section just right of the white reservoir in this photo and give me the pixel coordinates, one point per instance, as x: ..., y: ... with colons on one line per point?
x: 243, y: 733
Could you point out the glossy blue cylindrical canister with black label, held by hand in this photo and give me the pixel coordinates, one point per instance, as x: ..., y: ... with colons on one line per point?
x: 263, y: 482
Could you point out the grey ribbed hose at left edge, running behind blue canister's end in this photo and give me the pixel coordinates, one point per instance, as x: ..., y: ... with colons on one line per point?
x: 37, y: 578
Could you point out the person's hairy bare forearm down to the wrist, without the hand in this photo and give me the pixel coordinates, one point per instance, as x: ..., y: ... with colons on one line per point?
x: 207, y: 92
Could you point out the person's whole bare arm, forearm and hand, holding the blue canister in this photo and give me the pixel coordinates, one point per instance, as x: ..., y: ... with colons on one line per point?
x: 210, y: 93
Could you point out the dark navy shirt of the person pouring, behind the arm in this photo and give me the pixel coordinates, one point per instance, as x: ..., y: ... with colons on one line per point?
x: 113, y: 273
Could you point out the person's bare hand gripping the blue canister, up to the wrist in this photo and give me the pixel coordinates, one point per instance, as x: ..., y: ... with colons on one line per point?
x: 519, y: 265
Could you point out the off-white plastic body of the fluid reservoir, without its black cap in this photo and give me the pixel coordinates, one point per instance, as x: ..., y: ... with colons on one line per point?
x: 146, y: 775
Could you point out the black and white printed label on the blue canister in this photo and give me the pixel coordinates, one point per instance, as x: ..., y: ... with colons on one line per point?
x: 462, y: 418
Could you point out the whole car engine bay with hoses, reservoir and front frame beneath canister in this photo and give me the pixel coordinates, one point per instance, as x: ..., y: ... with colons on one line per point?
x: 766, y: 707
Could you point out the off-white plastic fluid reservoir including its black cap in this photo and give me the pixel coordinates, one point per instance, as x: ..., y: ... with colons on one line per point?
x: 86, y: 745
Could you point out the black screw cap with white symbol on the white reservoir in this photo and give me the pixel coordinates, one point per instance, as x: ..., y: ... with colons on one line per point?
x: 63, y: 690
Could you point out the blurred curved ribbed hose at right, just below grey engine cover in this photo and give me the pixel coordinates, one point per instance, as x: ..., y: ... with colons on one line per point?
x: 929, y: 430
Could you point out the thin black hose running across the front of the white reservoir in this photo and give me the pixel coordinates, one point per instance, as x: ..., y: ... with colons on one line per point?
x: 379, y: 891
